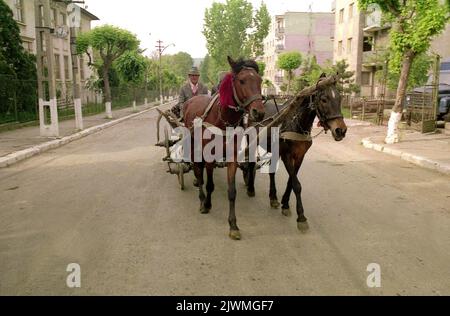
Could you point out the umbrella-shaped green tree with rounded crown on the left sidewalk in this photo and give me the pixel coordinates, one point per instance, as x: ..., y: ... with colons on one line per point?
x: 109, y: 42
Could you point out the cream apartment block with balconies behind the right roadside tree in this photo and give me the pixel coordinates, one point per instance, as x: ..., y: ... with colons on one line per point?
x: 362, y: 40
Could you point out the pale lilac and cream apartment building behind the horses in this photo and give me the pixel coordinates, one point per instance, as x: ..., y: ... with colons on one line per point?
x: 307, y: 32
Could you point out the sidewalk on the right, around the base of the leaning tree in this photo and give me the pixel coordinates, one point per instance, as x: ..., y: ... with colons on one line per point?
x: 431, y: 151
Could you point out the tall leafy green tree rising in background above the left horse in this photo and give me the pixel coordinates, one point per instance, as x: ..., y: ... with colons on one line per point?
x: 231, y: 29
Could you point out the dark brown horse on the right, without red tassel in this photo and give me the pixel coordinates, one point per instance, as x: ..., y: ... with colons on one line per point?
x: 296, y: 141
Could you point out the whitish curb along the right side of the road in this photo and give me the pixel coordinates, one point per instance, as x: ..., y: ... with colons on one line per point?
x: 414, y: 159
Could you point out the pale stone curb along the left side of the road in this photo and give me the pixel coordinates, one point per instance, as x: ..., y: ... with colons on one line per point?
x: 18, y: 156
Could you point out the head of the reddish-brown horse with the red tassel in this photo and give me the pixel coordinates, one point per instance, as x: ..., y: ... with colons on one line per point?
x: 246, y: 86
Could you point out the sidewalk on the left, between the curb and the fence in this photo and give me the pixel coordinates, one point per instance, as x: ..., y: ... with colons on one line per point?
x: 26, y: 137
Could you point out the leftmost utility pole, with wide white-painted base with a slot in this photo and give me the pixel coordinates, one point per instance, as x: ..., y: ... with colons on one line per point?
x: 45, y: 70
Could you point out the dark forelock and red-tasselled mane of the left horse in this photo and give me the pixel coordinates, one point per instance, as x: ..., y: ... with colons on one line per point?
x: 226, y: 86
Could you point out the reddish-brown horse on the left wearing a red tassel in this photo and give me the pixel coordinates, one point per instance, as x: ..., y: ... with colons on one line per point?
x: 240, y: 94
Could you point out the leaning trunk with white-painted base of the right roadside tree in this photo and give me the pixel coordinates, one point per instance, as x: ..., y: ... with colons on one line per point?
x: 397, y: 111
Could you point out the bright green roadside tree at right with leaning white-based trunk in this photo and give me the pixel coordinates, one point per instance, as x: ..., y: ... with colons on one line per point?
x: 415, y: 23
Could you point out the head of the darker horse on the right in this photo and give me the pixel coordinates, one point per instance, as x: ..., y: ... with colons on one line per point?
x: 328, y: 108
